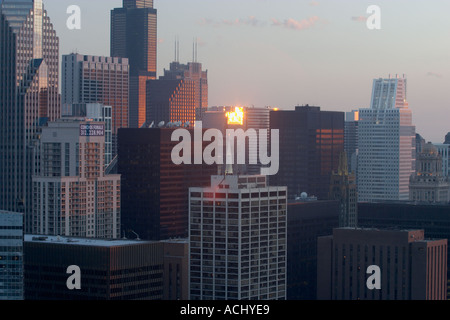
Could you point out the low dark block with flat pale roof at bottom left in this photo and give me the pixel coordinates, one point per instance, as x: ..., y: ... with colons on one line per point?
x: 109, y: 269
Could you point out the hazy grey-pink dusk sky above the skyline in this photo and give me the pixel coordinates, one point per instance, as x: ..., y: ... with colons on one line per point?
x: 283, y: 53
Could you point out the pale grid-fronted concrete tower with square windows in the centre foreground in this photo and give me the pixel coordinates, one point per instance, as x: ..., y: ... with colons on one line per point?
x: 237, y: 232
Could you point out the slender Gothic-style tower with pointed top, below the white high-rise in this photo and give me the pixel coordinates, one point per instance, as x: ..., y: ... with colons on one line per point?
x: 343, y: 189
